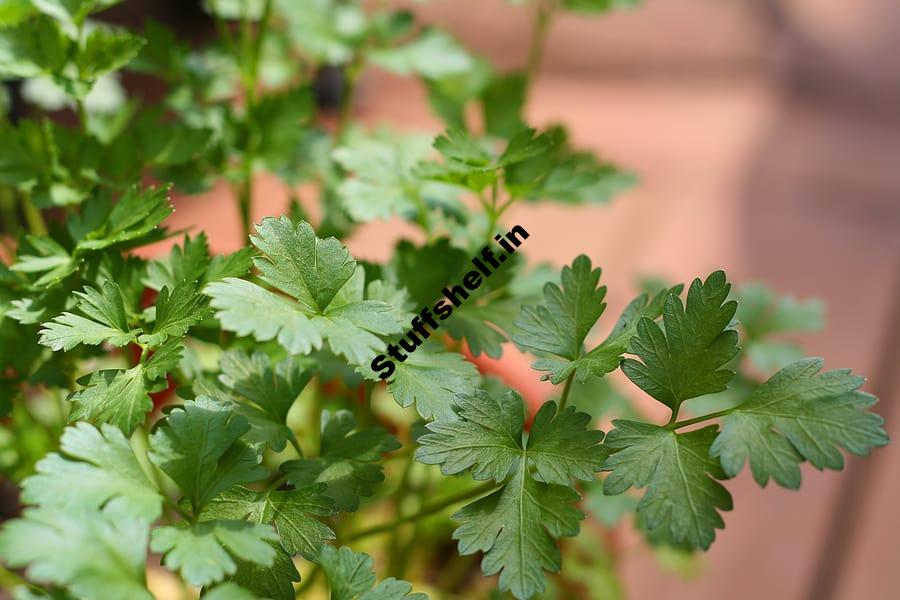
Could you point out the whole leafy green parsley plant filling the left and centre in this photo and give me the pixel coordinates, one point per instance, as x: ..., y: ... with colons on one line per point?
x: 219, y: 415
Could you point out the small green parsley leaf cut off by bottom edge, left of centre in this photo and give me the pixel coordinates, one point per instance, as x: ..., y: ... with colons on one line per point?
x: 352, y: 577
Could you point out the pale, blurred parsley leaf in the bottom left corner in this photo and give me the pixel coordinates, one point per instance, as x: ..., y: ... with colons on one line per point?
x: 95, y: 554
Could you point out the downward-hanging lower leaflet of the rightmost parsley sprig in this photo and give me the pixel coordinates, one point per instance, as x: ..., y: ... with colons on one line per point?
x: 682, y: 499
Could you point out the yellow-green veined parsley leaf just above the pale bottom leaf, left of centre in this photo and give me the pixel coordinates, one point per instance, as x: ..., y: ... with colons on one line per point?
x: 292, y: 512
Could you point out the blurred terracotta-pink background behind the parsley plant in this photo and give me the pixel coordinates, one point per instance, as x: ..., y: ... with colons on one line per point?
x: 766, y: 134
